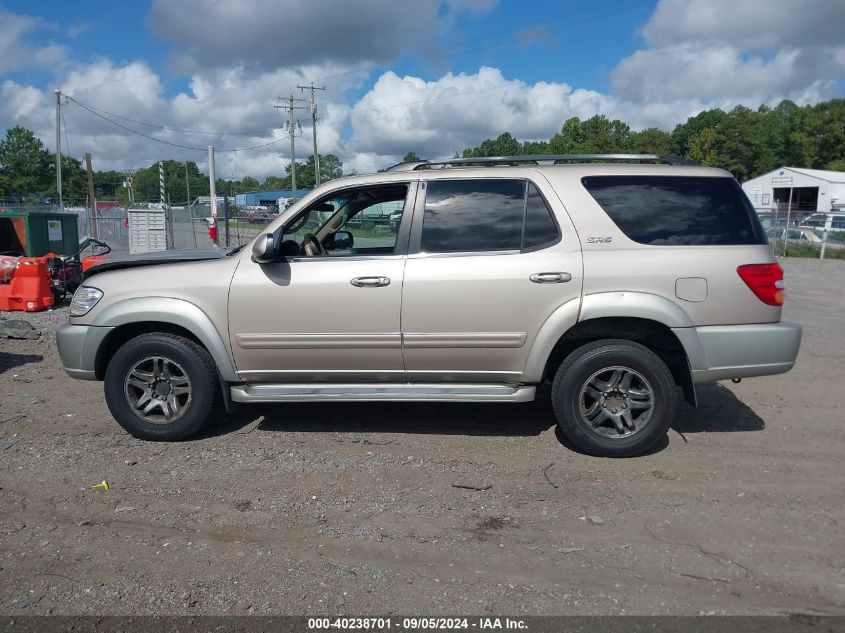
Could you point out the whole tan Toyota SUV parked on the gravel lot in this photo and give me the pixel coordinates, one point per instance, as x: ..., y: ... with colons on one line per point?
x: 463, y: 280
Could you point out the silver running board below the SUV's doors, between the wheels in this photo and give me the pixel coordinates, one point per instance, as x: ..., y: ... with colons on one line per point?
x: 373, y: 392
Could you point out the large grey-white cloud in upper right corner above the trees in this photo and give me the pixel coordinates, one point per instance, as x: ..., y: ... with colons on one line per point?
x: 728, y: 52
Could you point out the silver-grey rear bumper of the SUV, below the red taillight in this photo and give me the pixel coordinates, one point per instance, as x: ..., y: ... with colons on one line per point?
x: 720, y: 352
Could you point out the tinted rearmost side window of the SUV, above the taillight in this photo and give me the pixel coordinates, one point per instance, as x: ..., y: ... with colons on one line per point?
x: 677, y: 210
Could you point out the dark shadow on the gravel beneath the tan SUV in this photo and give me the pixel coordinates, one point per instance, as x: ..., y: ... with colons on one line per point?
x: 719, y: 410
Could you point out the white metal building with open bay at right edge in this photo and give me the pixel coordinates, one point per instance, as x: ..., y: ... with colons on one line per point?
x: 810, y: 191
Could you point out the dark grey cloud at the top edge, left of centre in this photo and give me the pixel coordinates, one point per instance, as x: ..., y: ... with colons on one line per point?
x: 270, y: 33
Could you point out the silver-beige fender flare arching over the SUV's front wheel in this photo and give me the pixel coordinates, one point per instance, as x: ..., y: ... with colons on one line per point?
x: 176, y: 312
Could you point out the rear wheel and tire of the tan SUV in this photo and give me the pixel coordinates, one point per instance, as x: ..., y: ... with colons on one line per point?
x: 613, y: 398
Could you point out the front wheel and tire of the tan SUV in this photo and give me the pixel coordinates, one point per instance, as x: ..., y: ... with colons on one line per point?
x: 162, y: 387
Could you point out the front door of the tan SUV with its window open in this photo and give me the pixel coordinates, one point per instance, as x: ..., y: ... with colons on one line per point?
x: 328, y: 314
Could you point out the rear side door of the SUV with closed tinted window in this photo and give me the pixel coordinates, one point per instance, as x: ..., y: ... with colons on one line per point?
x: 489, y: 260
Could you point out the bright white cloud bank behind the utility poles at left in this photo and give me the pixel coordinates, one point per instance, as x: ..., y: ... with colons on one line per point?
x: 231, y: 101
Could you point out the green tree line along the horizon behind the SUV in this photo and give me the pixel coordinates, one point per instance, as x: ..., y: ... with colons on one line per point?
x: 743, y: 141
